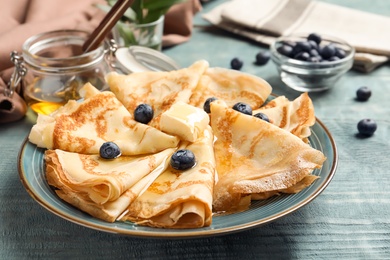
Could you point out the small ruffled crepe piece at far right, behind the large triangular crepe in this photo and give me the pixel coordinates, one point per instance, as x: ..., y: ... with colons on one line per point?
x: 295, y: 116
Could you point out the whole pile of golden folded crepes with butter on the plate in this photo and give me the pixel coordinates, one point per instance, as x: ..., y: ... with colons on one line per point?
x: 238, y: 157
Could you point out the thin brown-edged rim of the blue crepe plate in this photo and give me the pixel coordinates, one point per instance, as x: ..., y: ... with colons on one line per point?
x: 185, y: 233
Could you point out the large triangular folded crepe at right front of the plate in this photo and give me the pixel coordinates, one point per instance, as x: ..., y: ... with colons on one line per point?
x: 255, y: 157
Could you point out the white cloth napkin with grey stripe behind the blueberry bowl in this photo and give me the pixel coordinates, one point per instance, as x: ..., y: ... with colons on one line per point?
x: 264, y: 21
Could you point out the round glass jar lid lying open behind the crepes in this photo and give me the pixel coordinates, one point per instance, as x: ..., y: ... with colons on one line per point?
x: 138, y: 59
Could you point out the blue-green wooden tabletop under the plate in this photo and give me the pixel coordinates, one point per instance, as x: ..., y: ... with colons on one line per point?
x: 349, y: 220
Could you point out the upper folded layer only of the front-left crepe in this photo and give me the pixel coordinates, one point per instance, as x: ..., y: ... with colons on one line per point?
x: 103, y: 180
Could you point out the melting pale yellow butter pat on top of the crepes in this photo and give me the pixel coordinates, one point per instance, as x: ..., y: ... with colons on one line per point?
x: 185, y: 121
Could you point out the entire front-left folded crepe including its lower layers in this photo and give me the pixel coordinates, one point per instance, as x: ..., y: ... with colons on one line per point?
x: 103, y: 188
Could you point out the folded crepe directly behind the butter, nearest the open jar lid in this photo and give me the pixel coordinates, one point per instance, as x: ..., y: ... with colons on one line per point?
x: 158, y: 89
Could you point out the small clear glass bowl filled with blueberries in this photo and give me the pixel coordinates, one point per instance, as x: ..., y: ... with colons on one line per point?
x: 311, y: 62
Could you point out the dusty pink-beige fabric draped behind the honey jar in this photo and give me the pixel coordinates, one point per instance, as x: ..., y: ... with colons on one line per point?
x: 22, y: 19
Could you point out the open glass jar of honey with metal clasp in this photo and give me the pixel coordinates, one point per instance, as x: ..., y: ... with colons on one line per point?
x: 56, y: 68
